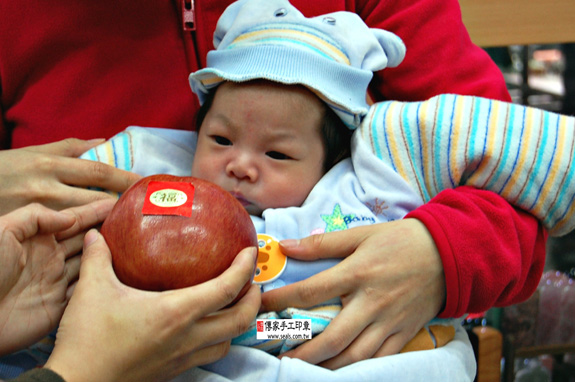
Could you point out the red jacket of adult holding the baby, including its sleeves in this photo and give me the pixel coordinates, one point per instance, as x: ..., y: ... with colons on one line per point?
x: 88, y: 69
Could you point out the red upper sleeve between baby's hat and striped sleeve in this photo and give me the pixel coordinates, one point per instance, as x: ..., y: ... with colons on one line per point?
x: 440, y: 58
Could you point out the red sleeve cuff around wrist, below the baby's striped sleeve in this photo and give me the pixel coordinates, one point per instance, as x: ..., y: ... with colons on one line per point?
x: 493, y: 254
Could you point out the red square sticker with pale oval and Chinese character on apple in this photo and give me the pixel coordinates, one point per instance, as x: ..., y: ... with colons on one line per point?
x: 169, y: 198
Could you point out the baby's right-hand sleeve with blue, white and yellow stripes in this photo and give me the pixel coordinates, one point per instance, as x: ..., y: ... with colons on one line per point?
x: 522, y: 153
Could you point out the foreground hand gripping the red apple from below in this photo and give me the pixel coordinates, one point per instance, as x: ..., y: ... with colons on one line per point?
x: 111, y: 332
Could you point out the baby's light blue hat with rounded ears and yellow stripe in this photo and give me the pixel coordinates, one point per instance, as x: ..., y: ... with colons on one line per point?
x: 334, y: 55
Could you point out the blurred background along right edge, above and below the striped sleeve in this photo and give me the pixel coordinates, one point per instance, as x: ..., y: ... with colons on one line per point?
x: 533, y: 43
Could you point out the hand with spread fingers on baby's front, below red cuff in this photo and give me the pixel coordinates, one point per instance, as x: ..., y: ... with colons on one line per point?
x: 390, y: 283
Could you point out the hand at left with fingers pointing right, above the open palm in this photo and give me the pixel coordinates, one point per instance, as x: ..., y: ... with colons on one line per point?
x: 53, y: 175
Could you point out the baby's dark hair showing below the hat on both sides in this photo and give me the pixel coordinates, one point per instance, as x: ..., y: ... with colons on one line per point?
x: 336, y: 135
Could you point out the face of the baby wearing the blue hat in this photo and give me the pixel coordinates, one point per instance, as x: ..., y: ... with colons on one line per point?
x: 262, y: 143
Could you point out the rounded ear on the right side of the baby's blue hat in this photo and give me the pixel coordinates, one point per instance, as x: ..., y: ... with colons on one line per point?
x: 393, y: 51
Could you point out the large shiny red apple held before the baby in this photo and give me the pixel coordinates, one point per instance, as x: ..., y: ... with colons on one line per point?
x: 169, y: 232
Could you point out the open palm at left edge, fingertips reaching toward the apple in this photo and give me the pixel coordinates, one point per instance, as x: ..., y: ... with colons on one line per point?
x: 39, y: 266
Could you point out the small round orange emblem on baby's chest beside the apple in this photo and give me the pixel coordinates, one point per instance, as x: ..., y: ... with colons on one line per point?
x: 271, y: 261
